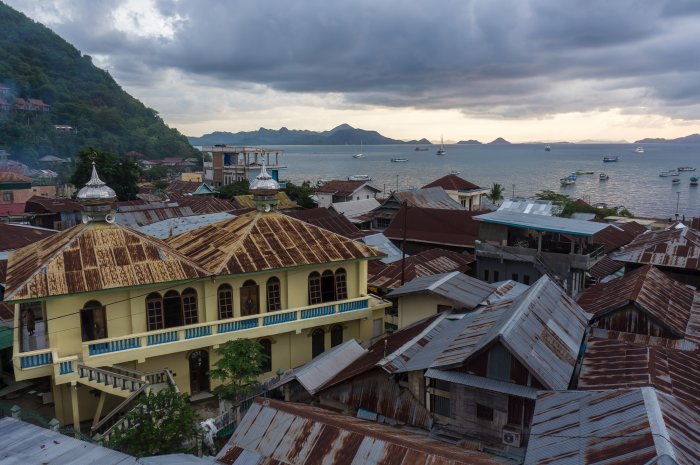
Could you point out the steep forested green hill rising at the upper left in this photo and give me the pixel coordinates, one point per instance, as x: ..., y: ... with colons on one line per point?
x: 92, y: 109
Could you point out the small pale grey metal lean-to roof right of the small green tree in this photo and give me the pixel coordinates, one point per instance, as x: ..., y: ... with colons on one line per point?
x: 314, y: 374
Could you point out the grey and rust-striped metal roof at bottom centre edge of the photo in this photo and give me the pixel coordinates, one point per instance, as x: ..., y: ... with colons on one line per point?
x: 274, y: 432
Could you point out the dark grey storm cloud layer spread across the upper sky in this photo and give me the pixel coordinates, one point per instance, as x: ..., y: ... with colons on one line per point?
x: 489, y: 57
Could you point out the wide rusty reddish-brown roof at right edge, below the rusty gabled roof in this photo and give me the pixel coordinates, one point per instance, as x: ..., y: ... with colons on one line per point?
x: 612, y: 364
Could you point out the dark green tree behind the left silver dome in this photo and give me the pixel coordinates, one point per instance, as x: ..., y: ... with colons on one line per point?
x: 120, y: 173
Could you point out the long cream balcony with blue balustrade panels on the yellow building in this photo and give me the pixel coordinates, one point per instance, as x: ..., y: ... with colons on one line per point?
x: 138, y: 347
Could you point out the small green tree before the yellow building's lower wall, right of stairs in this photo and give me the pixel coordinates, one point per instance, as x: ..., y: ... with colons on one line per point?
x: 238, y: 368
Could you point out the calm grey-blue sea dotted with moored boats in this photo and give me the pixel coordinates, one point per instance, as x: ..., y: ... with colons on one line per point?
x: 521, y: 168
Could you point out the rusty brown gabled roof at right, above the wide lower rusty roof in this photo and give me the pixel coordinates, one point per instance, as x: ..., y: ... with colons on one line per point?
x: 668, y: 301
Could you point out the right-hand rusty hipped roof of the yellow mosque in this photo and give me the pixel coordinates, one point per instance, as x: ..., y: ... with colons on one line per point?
x: 260, y: 241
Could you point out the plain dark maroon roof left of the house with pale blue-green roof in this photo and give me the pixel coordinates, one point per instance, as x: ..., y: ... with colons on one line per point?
x: 436, y: 226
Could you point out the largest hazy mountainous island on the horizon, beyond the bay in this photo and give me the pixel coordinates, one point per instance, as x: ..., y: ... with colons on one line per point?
x: 340, y: 135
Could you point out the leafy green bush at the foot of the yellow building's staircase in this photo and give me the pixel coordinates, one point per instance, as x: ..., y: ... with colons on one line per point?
x: 166, y: 425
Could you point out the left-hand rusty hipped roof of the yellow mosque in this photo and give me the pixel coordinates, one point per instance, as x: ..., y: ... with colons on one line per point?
x: 92, y: 257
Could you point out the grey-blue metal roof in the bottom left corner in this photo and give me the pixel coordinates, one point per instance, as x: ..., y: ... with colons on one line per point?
x: 25, y: 444
